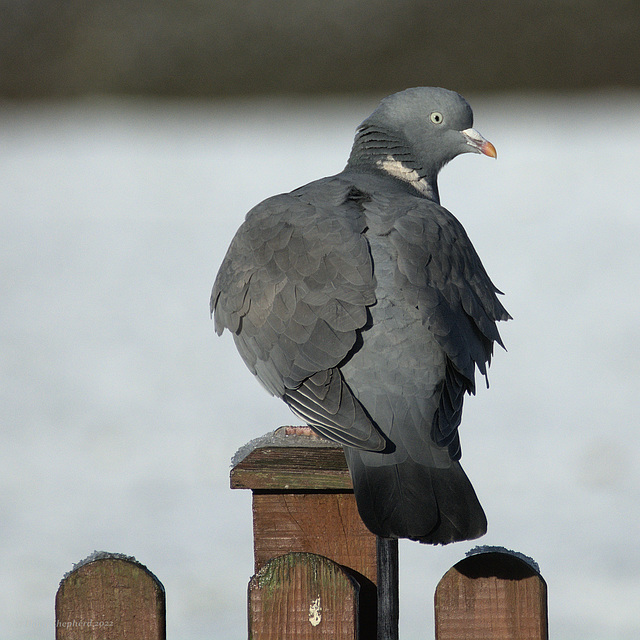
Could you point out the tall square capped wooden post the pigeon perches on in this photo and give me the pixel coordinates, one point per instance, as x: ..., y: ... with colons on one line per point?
x: 303, y: 502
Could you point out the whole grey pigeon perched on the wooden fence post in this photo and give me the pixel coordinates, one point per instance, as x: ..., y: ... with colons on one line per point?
x: 361, y: 302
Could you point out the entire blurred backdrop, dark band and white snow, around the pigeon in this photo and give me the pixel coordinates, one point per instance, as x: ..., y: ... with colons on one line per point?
x: 134, y: 137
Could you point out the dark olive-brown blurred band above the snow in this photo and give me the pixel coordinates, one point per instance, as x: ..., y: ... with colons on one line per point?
x: 212, y: 48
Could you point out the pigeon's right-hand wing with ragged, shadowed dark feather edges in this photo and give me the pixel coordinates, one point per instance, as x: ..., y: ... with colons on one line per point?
x: 440, y: 273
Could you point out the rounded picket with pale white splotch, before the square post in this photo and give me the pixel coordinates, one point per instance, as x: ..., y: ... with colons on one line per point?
x: 303, y: 596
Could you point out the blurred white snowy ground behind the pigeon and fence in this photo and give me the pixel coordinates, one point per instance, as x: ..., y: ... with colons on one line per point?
x: 121, y: 410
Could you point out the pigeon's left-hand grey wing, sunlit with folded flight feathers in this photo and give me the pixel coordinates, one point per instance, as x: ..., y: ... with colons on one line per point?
x: 294, y: 289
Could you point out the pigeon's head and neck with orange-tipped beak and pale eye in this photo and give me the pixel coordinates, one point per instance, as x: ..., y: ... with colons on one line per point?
x: 414, y: 133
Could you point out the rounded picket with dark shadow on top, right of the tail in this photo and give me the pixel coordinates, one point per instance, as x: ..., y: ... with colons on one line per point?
x: 491, y: 595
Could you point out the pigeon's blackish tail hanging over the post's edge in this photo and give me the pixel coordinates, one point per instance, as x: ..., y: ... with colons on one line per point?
x: 409, y: 500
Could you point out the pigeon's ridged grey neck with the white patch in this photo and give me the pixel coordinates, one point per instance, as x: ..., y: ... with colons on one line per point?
x: 376, y: 150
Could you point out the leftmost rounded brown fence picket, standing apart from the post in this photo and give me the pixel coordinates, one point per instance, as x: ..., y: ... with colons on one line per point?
x: 109, y: 596
